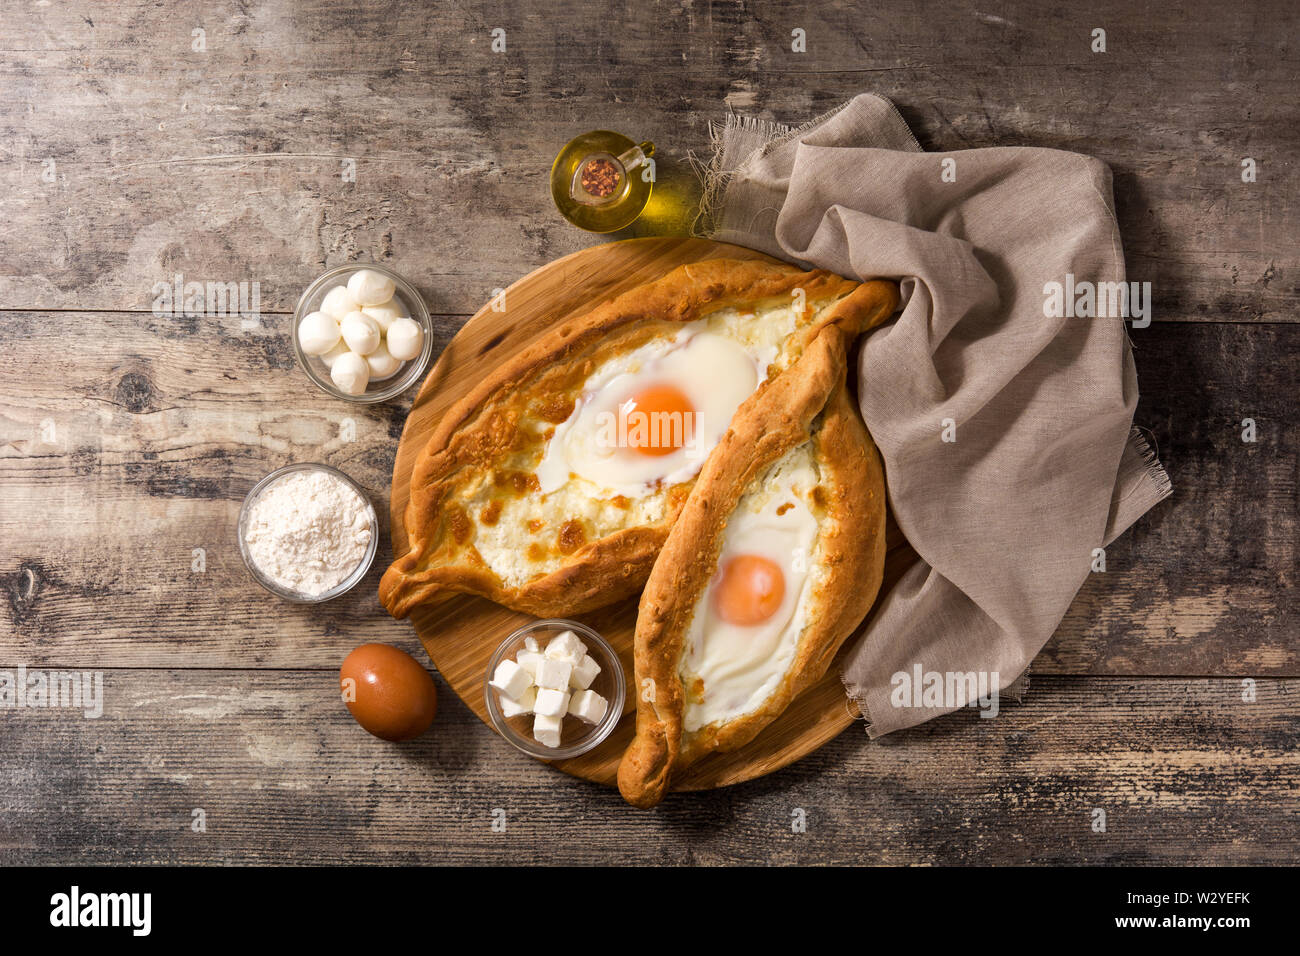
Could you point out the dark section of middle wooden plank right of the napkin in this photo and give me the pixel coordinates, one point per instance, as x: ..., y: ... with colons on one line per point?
x: 1221, y: 557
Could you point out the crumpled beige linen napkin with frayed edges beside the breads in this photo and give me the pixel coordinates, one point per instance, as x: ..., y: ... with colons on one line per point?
x: 1007, y: 435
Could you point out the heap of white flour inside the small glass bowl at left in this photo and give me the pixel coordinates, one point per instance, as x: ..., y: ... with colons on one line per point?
x: 309, y: 531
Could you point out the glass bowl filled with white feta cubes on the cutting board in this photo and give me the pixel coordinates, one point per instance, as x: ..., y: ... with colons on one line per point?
x: 556, y: 689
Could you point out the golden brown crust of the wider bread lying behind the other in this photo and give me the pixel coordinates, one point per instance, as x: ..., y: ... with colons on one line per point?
x: 486, y: 430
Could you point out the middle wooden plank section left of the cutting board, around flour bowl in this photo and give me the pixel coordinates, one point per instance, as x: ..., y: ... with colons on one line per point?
x: 122, y: 461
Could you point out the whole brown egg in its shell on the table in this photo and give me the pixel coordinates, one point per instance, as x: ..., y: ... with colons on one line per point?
x: 388, y: 691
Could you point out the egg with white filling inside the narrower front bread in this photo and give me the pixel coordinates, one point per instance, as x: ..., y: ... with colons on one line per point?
x: 747, y: 624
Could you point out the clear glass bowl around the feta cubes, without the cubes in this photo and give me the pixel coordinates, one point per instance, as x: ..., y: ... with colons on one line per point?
x: 578, y: 737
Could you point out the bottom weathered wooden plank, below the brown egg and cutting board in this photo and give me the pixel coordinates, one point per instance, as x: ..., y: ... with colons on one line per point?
x: 1185, y: 771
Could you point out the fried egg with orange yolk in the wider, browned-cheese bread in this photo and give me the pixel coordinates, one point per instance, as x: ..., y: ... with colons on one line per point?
x: 651, y: 418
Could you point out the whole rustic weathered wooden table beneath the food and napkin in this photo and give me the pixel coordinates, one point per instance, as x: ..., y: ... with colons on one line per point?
x: 265, y: 141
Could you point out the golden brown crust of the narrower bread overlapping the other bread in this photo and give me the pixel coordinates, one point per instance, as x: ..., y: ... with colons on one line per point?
x: 811, y: 401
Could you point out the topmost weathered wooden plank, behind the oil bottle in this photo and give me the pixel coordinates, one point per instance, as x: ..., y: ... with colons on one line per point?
x: 226, y: 165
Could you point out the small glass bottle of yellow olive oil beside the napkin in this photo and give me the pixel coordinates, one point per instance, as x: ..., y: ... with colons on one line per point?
x: 601, y: 181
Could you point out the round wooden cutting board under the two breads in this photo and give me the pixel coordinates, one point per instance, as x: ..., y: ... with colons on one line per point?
x: 462, y: 633
